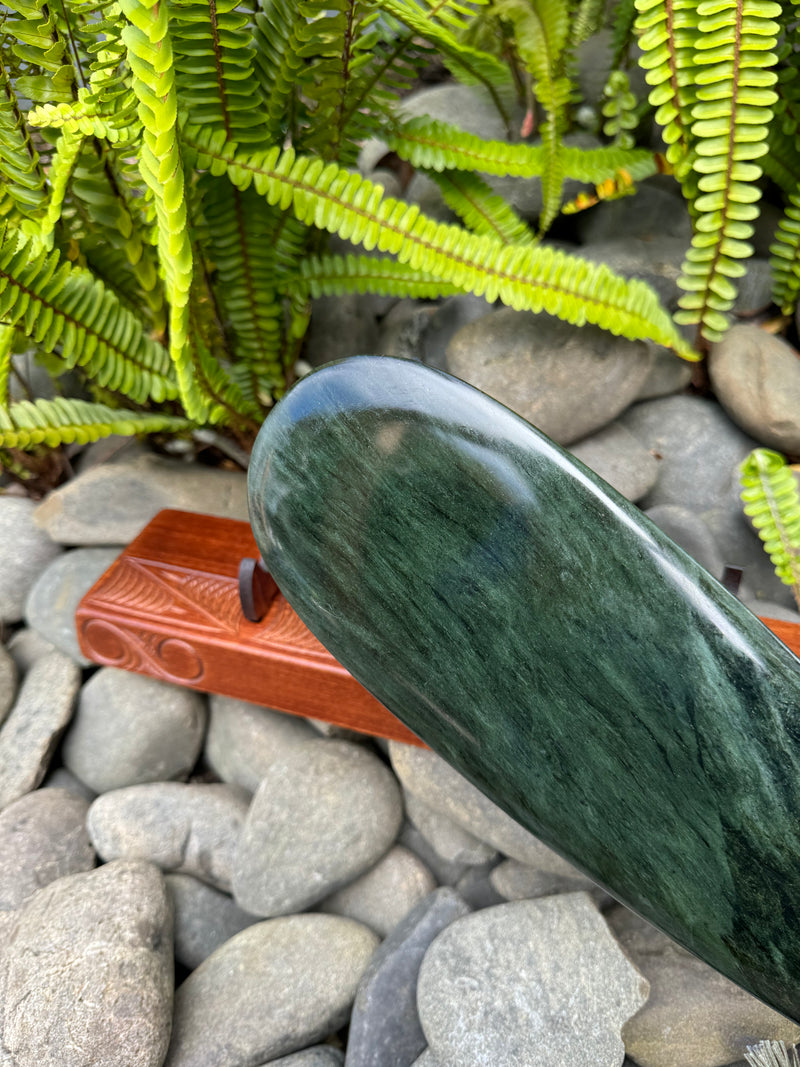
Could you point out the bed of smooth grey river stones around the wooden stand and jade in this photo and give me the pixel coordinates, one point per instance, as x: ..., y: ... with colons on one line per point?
x: 191, y: 881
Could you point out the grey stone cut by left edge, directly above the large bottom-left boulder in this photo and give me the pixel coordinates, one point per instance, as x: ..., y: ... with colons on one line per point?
x: 43, y: 837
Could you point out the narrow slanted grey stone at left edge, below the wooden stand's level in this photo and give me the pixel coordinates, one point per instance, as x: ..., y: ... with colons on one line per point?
x: 29, y: 736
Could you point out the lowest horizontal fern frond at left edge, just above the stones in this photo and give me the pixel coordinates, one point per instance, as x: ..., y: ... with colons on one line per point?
x: 65, y: 422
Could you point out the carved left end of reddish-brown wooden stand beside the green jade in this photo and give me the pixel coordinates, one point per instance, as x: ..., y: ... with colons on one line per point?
x: 170, y: 608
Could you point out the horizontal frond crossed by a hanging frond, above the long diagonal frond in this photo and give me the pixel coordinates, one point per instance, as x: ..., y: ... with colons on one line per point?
x: 440, y: 147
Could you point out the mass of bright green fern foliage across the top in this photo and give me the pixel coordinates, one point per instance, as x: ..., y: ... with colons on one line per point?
x: 171, y: 171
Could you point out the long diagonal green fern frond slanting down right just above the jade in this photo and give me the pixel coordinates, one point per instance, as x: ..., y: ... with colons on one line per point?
x: 523, y: 277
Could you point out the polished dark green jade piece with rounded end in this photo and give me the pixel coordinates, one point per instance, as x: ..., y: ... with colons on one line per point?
x: 540, y: 634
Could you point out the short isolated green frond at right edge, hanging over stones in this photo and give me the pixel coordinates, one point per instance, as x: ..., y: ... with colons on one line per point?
x: 773, y: 503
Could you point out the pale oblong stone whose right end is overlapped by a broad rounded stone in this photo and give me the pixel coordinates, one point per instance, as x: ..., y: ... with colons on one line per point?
x: 188, y: 830
